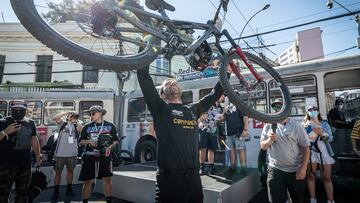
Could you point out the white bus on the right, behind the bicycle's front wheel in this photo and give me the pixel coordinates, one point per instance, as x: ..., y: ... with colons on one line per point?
x: 316, y: 82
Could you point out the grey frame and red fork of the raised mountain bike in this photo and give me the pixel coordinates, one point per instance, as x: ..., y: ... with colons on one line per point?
x: 173, y: 26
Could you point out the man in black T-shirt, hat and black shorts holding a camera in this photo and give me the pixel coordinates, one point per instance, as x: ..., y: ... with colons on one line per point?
x: 99, y: 137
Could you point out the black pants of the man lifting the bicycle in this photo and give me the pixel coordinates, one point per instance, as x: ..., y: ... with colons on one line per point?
x: 178, y: 186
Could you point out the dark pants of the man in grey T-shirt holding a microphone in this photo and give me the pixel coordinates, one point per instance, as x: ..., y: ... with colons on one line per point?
x: 279, y: 182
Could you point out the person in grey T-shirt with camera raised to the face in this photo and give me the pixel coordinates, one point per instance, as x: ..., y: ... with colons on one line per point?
x: 66, y: 149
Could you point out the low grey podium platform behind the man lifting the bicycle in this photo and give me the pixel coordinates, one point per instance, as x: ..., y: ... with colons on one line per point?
x: 136, y: 183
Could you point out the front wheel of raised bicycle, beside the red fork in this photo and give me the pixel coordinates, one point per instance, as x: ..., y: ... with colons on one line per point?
x: 252, y: 102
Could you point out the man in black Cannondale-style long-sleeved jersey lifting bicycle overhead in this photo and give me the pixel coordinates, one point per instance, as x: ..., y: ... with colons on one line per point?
x: 176, y: 127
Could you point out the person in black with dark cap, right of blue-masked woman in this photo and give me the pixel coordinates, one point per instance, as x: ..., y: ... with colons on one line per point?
x: 342, y: 128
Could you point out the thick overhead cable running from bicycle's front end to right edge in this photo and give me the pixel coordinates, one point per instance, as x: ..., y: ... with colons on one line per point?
x: 295, y: 26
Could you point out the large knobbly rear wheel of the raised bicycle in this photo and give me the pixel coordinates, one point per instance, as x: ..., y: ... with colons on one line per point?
x: 78, y: 42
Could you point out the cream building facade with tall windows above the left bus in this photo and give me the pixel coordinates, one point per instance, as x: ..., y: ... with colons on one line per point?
x: 24, y: 59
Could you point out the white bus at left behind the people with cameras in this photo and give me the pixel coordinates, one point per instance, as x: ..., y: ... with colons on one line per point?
x: 45, y: 103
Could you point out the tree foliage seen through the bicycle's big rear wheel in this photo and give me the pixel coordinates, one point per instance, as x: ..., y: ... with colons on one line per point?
x: 67, y: 10
